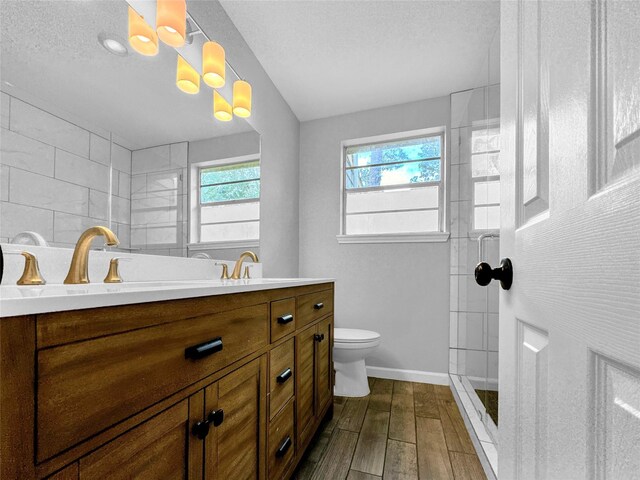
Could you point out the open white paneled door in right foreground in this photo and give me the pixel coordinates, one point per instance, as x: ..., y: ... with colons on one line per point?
x: 570, y: 171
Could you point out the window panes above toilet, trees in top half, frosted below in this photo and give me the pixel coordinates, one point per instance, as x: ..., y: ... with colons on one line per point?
x: 393, y: 187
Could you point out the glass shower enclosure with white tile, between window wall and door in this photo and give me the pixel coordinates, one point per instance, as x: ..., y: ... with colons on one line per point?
x: 475, y: 237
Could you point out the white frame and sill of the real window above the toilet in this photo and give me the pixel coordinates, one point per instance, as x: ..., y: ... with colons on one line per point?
x: 412, y: 237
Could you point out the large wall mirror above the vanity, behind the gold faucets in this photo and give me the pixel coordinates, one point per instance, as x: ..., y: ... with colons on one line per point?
x: 93, y: 133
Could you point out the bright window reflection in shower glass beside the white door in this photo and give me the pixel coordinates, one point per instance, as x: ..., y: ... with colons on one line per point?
x: 485, y: 153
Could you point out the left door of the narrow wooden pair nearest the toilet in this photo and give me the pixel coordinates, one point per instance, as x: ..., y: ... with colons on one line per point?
x: 305, y: 380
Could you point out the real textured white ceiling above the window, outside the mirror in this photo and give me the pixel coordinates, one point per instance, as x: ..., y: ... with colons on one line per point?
x: 333, y: 57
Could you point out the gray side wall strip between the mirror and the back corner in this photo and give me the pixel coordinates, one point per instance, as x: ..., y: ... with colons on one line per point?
x: 280, y: 137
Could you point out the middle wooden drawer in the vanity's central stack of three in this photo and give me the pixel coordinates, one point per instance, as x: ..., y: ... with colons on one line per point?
x: 282, y: 376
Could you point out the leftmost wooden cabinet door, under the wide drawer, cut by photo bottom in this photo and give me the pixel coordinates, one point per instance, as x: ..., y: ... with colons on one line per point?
x: 156, y: 449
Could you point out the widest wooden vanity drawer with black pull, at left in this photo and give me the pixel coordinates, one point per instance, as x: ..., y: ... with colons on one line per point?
x: 85, y: 387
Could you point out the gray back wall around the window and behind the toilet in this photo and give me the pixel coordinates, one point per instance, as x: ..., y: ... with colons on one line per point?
x: 399, y: 290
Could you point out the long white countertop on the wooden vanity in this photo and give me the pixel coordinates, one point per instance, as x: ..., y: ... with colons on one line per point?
x: 29, y: 300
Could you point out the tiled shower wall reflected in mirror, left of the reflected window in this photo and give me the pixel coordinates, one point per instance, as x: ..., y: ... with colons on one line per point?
x: 159, y: 200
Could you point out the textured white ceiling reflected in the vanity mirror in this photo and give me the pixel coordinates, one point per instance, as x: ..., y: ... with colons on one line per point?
x: 50, y: 53
